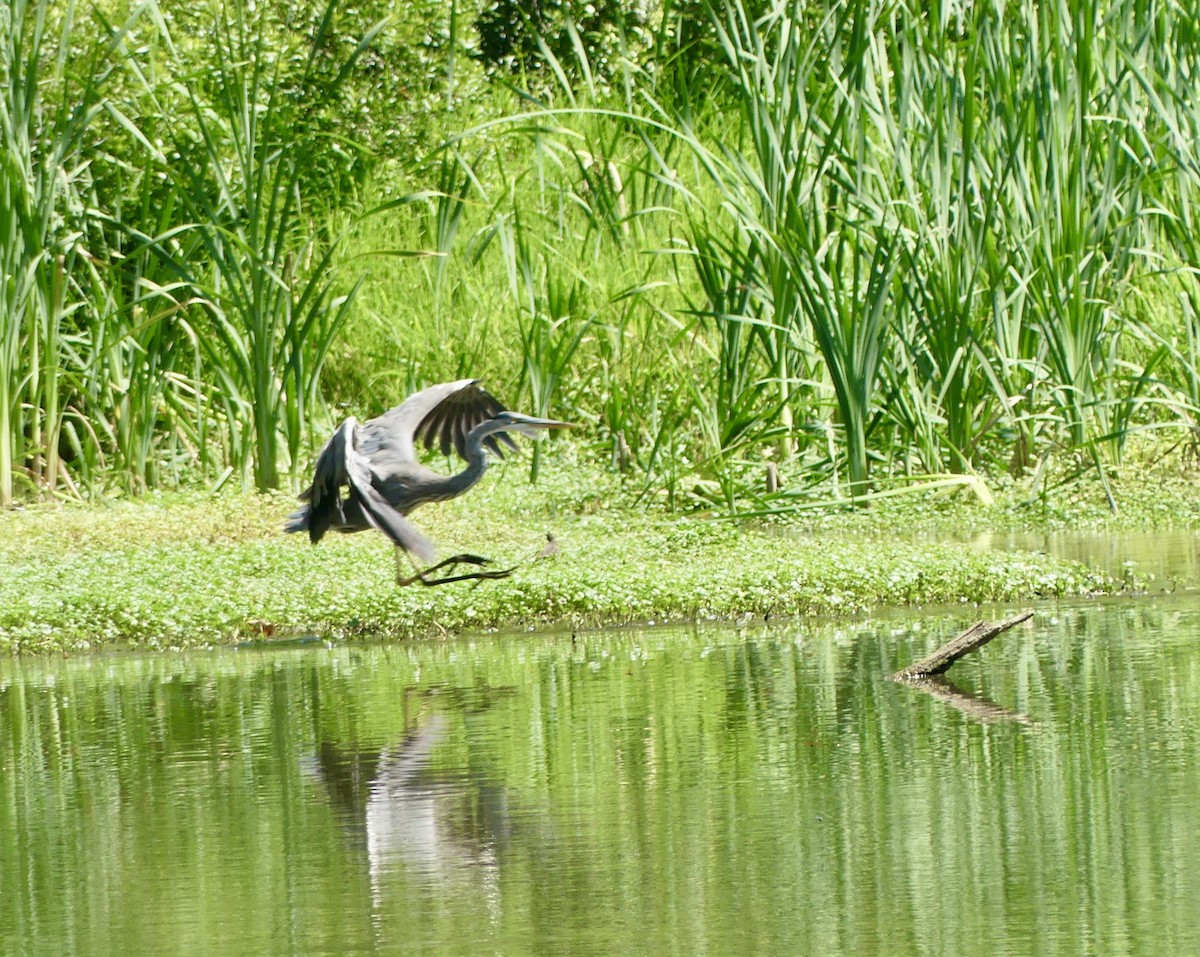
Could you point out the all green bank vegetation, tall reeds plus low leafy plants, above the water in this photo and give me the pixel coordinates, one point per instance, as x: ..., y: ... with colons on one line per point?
x: 818, y: 279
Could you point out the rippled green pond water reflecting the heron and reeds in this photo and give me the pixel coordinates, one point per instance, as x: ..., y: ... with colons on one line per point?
x: 715, y: 791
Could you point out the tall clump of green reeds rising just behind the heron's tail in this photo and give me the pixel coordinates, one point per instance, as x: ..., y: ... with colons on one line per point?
x: 267, y: 278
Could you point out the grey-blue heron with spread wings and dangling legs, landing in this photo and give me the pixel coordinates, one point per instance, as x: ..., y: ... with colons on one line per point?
x: 376, y: 464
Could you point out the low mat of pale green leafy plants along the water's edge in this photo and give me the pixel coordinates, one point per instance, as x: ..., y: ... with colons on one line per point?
x: 187, y: 571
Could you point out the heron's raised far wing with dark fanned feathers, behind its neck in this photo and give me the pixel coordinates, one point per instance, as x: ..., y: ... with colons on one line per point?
x: 440, y: 416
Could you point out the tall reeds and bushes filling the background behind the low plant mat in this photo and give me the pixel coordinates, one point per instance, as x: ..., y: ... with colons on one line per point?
x: 872, y: 242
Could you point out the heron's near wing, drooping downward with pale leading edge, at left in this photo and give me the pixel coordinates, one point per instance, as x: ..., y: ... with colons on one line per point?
x: 341, y: 465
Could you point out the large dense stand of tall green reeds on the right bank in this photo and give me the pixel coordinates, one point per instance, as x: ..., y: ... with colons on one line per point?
x: 998, y: 183
